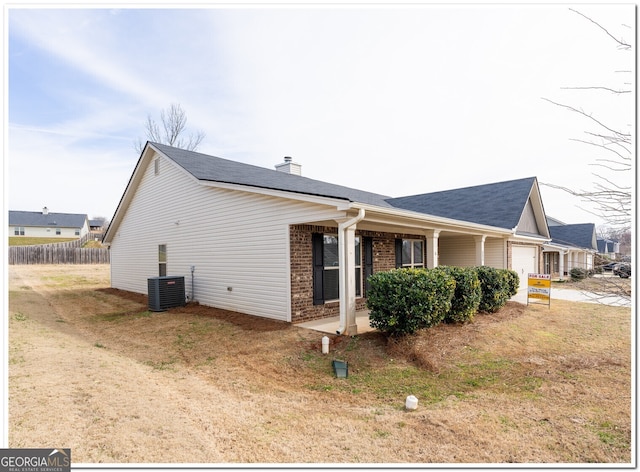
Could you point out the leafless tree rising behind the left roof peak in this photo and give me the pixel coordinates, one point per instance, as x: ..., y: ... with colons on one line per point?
x: 171, y: 131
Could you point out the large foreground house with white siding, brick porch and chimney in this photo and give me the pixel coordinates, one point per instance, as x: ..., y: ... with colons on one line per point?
x: 275, y: 244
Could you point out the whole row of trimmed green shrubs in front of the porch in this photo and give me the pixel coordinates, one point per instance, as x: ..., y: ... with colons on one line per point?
x: 403, y: 301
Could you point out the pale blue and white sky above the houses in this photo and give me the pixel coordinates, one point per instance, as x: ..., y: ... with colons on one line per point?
x: 394, y: 100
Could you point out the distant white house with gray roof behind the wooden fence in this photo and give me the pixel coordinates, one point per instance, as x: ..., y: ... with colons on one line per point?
x: 45, y: 224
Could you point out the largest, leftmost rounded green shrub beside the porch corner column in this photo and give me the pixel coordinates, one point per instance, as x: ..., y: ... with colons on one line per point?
x: 402, y: 301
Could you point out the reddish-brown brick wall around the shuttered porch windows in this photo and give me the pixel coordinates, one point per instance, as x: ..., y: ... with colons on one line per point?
x: 301, y: 249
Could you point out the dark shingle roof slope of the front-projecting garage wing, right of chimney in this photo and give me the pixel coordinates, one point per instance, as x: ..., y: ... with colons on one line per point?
x: 499, y: 204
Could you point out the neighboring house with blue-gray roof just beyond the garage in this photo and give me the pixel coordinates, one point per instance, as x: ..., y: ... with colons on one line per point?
x: 571, y: 246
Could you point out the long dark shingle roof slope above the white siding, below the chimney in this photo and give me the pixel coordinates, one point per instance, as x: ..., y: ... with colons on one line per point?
x: 215, y: 169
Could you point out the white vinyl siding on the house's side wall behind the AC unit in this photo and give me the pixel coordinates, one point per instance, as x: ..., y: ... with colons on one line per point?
x: 237, y: 241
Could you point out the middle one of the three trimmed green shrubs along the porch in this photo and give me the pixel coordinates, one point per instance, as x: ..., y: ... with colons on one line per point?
x: 467, y: 295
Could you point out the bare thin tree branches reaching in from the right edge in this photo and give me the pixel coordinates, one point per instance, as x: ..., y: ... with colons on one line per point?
x: 610, y: 199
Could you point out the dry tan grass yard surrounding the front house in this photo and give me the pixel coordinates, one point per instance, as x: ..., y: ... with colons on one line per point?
x: 91, y: 369
